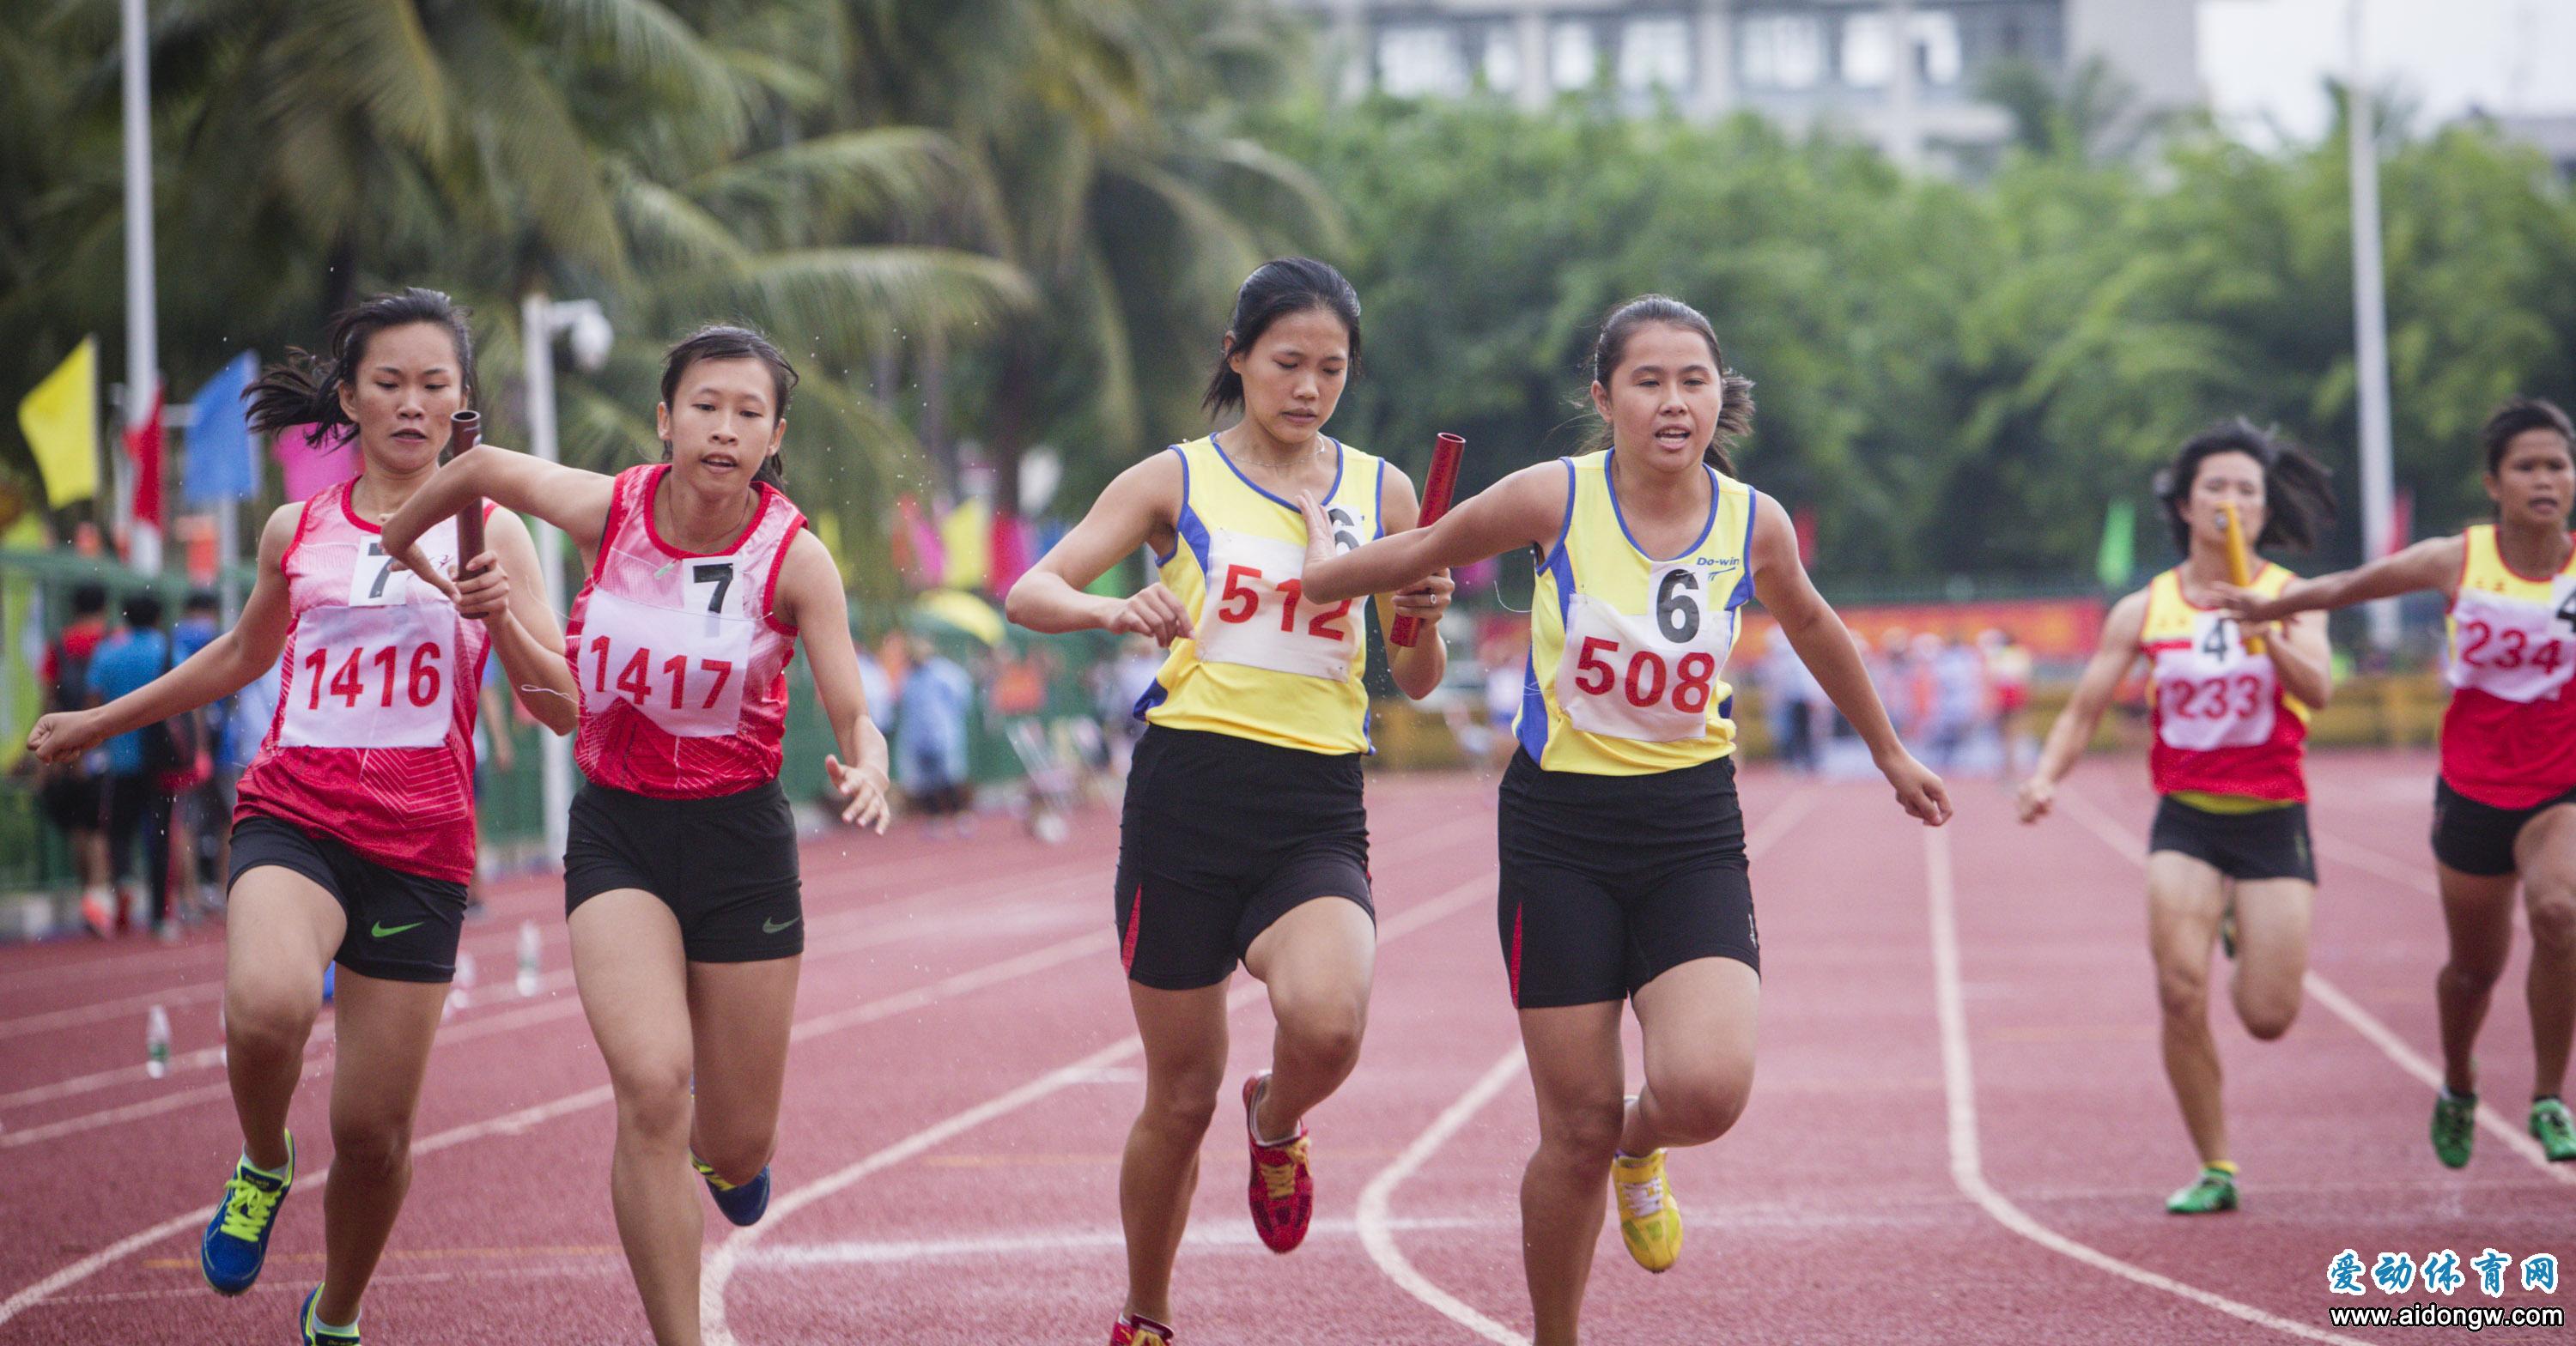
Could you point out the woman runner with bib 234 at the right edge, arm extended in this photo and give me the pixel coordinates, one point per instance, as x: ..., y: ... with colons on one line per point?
x: 2505, y: 804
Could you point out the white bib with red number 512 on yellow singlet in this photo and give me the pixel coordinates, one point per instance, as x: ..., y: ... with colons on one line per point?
x: 1256, y: 611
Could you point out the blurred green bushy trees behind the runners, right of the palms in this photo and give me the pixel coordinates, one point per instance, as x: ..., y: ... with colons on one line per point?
x: 1956, y: 377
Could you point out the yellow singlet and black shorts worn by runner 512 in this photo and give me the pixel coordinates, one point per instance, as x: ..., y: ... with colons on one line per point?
x: 1269, y: 691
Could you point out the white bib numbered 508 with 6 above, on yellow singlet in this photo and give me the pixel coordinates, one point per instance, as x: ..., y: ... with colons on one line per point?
x: 1645, y: 678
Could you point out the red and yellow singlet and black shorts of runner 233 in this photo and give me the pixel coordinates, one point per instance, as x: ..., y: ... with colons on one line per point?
x: 2230, y: 755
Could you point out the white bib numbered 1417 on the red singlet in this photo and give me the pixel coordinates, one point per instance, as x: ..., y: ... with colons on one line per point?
x: 681, y: 668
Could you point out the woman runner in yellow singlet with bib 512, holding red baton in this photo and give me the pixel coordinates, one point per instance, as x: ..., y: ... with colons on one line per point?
x: 1243, y: 838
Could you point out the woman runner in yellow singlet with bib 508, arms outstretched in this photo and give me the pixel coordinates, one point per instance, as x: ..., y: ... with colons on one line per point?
x: 1622, y: 843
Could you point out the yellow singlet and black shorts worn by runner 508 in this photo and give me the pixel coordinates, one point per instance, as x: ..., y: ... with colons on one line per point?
x: 1627, y: 735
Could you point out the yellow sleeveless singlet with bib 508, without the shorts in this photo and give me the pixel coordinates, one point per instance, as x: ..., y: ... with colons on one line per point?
x: 1627, y: 647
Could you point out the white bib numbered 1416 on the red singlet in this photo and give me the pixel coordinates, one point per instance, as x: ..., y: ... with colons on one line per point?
x: 375, y: 673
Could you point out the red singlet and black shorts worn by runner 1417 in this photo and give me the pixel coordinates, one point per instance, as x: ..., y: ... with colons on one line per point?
x: 684, y: 686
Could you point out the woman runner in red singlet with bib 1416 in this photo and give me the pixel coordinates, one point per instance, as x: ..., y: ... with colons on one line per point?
x: 354, y: 835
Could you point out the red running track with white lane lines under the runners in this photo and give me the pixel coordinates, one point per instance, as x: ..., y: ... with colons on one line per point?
x: 1962, y: 1126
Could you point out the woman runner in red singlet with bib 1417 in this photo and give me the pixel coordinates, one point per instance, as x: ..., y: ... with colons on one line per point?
x: 681, y: 881
